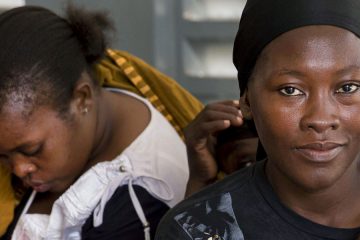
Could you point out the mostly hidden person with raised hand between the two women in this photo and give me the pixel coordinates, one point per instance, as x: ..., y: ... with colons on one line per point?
x: 218, y: 142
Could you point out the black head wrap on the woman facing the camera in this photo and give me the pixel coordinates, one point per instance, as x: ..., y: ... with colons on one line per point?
x: 264, y: 20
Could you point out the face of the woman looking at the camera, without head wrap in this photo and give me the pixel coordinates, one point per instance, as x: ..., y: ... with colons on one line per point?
x: 308, y: 115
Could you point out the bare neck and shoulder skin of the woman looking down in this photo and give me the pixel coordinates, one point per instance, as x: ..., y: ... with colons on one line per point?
x: 121, y: 118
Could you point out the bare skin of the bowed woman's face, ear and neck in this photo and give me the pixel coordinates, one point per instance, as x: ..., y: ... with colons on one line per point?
x: 49, y: 152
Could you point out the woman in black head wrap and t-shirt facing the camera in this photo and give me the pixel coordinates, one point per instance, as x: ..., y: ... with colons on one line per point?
x: 298, y: 67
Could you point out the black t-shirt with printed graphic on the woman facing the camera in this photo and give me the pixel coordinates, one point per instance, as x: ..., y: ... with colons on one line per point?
x: 243, y: 206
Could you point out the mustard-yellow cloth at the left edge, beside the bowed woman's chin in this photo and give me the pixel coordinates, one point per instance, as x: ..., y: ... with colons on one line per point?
x: 7, y: 199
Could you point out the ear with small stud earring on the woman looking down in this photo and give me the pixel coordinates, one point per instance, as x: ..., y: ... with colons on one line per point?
x: 83, y: 95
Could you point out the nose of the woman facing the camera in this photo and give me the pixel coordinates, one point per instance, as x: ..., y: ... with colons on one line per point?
x: 321, y: 115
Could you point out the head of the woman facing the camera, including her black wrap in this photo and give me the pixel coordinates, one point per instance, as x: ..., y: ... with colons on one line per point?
x: 299, y: 72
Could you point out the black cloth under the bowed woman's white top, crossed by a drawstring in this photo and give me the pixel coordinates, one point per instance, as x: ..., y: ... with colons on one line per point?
x: 120, y: 219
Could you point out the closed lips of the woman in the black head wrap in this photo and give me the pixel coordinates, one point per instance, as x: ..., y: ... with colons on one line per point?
x: 320, y: 152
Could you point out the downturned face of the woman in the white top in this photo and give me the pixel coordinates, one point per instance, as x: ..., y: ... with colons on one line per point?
x: 47, y: 152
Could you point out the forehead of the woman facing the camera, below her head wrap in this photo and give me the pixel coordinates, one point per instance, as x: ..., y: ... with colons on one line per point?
x: 311, y: 47
